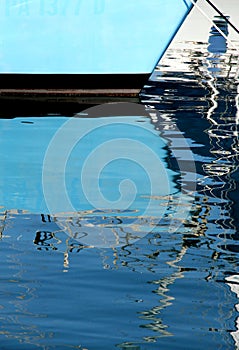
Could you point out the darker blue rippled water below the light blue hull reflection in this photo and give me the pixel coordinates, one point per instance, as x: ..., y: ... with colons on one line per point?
x: 139, y: 296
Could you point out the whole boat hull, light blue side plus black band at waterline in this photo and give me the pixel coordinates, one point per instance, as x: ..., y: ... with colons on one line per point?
x: 81, y: 52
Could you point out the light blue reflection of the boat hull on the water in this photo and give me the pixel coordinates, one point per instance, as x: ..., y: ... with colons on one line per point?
x: 105, y: 181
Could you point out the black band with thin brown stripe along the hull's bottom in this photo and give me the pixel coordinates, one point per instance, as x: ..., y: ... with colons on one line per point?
x: 41, y: 94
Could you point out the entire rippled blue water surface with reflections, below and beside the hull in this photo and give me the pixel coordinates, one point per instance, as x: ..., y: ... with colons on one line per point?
x: 151, y: 264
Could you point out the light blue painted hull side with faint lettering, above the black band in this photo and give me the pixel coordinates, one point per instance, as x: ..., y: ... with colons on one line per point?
x: 86, y: 36
